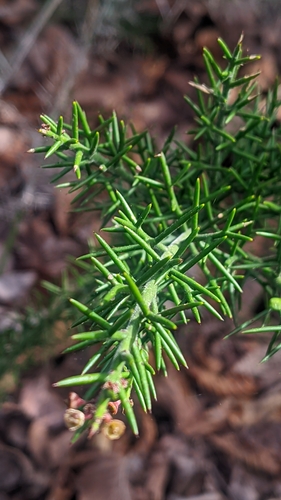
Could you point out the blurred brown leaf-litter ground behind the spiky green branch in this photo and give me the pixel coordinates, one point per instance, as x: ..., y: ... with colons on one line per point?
x: 215, y: 430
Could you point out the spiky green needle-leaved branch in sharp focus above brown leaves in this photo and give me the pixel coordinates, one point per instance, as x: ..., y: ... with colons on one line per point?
x: 170, y: 211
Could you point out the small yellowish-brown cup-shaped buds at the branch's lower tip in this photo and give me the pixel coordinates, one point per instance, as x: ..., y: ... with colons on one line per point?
x: 79, y: 412
